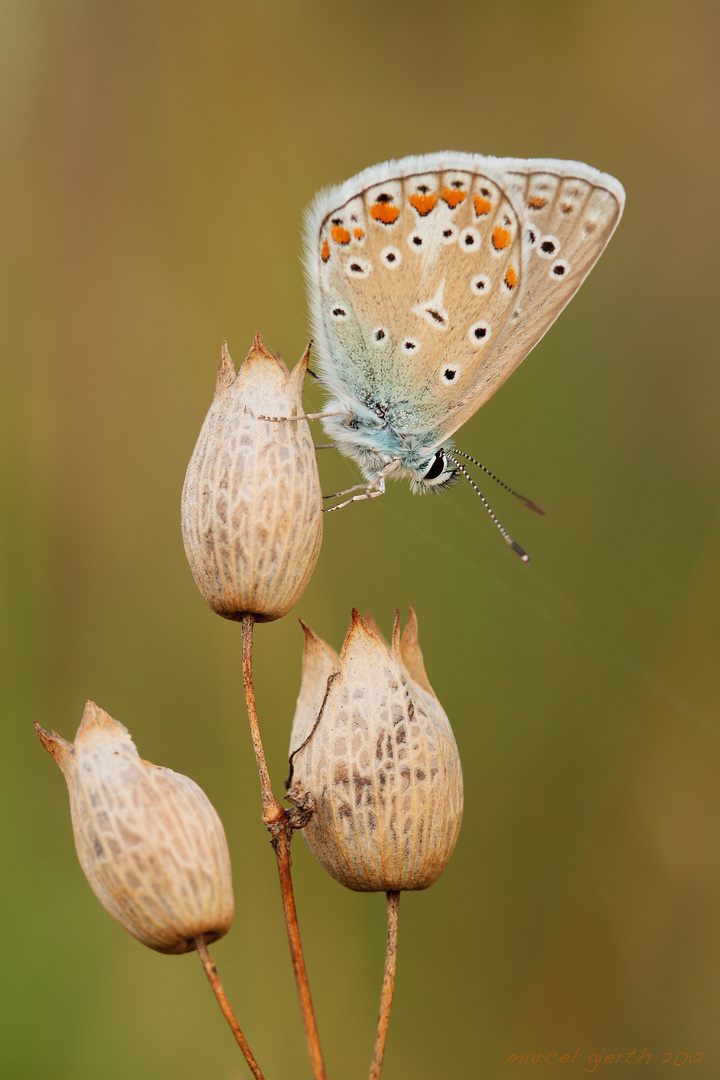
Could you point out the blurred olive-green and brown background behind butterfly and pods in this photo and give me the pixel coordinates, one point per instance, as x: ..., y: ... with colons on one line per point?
x: 157, y: 159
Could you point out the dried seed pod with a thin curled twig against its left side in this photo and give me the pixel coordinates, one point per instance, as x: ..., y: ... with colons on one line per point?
x: 373, y: 751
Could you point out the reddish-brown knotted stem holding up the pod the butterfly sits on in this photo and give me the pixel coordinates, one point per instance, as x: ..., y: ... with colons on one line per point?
x: 278, y: 823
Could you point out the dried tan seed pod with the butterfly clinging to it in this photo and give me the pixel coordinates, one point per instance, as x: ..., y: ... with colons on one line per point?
x: 252, y: 503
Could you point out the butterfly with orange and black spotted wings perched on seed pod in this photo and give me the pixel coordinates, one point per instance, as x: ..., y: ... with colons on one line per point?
x: 430, y: 280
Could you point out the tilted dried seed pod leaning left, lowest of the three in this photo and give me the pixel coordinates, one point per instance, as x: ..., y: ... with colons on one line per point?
x: 148, y: 840
